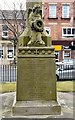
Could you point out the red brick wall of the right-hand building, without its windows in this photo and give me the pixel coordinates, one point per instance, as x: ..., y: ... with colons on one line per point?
x: 57, y: 24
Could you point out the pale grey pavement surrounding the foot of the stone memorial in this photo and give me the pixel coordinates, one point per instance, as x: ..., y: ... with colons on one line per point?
x: 65, y: 99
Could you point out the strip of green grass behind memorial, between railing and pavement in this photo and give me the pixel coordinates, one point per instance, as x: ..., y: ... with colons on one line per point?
x: 62, y: 86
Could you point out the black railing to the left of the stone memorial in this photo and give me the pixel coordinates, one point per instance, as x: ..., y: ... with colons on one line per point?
x: 8, y: 73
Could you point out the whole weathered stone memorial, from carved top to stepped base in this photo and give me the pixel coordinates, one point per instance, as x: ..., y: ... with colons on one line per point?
x: 36, y: 72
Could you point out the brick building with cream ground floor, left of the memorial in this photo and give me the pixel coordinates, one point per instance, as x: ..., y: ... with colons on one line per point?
x: 12, y: 20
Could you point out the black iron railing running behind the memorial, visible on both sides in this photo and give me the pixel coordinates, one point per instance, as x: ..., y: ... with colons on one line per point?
x: 8, y: 73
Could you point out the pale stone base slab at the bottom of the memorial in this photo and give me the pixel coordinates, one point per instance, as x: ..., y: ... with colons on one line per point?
x: 25, y: 108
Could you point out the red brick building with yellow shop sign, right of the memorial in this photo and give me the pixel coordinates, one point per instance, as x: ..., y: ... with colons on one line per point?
x: 59, y: 20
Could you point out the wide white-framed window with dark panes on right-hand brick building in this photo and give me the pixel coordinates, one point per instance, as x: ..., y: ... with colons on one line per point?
x: 68, y: 32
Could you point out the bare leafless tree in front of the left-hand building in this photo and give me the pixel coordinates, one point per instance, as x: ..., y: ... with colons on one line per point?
x: 18, y: 24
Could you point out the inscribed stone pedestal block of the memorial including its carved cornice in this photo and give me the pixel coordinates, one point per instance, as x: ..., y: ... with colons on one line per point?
x: 36, y: 74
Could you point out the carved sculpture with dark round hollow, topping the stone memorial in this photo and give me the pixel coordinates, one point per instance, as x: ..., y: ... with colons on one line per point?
x: 34, y: 34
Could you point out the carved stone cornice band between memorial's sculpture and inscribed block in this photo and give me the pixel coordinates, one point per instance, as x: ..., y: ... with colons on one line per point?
x: 32, y: 51
